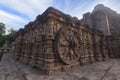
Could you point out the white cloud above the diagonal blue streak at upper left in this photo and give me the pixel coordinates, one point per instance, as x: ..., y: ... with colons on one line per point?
x: 27, y: 7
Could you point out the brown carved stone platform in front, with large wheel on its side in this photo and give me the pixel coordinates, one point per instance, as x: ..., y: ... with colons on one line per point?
x: 57, y: 42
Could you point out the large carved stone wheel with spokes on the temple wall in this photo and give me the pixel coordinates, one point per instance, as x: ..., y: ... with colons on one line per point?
x: 67, y: 44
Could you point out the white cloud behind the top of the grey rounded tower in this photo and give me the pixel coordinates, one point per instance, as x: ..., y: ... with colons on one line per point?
x: 78, y: 11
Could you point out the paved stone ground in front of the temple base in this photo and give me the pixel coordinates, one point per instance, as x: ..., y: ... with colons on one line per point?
x: 12, y: 70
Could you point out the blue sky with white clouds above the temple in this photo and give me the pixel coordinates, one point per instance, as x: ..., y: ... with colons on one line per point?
x: 17, y: 13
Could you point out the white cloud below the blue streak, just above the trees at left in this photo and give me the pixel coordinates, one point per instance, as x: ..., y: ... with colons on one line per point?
x: 11, y: 21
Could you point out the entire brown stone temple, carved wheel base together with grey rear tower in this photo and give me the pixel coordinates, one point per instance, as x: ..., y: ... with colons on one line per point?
x: 56, y: 42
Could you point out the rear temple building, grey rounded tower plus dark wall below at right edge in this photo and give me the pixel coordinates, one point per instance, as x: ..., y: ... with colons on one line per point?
x: 108, y: 21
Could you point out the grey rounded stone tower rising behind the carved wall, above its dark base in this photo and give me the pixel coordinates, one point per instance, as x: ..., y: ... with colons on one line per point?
x: 104, y: 19
